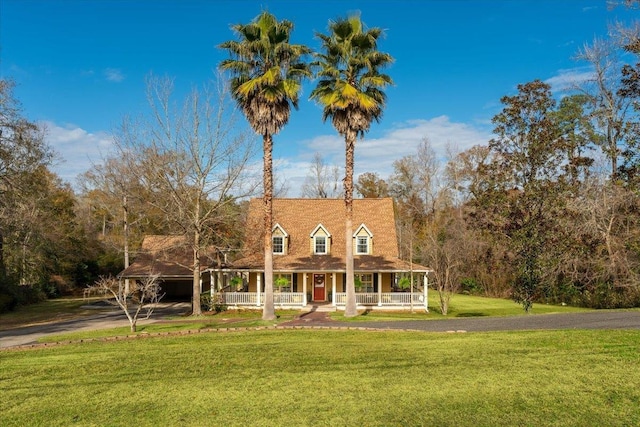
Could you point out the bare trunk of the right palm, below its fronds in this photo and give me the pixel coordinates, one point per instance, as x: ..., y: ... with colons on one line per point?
x: 350, y: 308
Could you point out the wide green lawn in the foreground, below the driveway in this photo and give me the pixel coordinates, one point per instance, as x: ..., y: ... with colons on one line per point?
x: 327, y: 378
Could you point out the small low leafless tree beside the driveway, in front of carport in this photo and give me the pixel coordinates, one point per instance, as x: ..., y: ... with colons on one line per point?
x: 133, y: 300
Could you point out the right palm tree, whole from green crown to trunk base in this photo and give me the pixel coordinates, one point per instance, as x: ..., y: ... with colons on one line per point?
x: 350, y: 92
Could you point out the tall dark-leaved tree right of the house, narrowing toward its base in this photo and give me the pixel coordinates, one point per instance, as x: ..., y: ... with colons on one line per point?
x: 522, y: 186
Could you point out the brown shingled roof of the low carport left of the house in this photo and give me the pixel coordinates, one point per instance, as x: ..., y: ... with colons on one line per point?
x: 166, y: 256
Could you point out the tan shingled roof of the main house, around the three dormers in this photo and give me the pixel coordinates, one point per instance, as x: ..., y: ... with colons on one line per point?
x: 299, y: 217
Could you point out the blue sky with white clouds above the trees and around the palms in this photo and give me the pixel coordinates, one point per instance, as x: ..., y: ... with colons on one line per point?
x: 80, y: 66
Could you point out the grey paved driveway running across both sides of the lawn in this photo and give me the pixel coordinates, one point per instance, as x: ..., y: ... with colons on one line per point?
x: 604, y: 319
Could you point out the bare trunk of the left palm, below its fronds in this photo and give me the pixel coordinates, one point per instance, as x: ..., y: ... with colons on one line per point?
x: 268, y: 312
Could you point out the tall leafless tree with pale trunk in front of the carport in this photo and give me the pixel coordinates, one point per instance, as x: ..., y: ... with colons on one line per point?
x: 193, y: 163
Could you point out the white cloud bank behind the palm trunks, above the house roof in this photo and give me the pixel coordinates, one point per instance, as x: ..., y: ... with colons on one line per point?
x: 378, y: 154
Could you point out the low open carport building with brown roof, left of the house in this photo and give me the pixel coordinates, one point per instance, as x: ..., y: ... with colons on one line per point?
x: 171, y: 259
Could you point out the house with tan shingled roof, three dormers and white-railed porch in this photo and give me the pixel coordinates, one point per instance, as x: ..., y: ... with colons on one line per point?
x: 308, y: 239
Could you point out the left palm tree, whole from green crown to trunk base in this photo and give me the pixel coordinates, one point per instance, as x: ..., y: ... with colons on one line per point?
x: 266, y: 74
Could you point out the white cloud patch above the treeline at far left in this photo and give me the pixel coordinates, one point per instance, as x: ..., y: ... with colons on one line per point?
x: 77, y: 150
